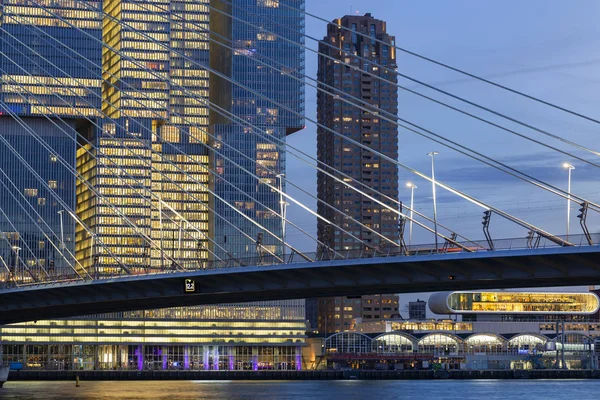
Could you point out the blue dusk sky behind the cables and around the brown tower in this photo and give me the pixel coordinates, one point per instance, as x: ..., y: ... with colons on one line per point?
x: 546, y: 48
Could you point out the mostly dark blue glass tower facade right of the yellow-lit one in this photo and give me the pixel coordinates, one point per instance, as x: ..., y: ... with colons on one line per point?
x: 265, y: 63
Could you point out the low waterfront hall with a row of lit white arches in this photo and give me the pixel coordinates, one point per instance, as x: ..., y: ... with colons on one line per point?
x: 400, y: 350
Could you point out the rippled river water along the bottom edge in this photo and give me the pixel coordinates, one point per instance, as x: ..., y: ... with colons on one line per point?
x: 310, y: 390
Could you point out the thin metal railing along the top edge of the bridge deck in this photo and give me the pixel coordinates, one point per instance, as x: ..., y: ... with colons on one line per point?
x: 8, y: 280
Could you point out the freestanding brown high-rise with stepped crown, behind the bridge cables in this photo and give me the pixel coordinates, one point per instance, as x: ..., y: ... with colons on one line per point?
x: 359, y: 61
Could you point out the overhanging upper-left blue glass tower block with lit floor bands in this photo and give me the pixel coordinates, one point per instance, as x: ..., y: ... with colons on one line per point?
x: 39, y: 75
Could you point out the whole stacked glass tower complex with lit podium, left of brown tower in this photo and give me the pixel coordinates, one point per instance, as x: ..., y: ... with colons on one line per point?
x: 124, y: 94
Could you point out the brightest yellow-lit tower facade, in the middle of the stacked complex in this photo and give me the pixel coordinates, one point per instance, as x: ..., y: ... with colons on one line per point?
x: 149, y: 159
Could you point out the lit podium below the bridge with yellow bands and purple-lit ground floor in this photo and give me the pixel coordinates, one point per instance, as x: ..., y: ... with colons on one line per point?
x: 233, y: 337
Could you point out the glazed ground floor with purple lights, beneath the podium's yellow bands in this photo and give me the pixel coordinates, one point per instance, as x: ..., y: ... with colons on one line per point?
x: 151, y: 357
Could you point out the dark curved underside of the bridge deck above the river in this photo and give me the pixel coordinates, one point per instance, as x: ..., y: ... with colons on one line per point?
x: 497, y: 270
